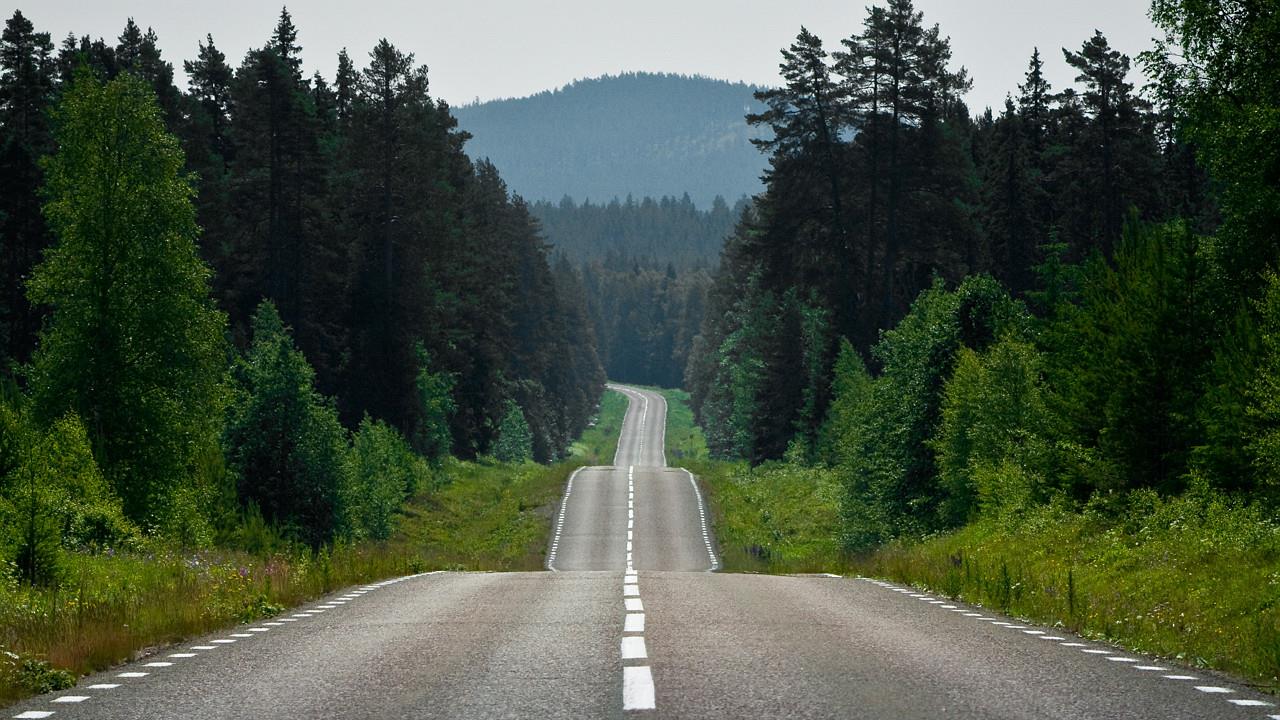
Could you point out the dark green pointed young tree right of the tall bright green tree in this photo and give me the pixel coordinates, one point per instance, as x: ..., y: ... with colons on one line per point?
x: 284, y: 440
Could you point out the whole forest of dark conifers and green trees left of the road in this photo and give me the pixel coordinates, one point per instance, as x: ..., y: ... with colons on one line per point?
x: 266, y: 299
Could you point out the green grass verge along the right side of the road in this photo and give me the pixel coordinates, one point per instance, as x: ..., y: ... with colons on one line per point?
x: 1192, y: 578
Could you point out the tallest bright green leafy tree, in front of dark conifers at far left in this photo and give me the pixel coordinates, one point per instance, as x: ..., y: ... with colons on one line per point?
x: 135, y: 345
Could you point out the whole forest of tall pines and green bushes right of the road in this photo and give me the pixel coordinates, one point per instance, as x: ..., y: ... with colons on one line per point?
x: 1073, y: 302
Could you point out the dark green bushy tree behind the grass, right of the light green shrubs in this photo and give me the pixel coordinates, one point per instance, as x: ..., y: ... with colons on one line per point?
x: 1128, y: 363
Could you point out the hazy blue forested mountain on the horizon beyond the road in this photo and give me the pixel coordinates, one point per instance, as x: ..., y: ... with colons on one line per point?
x: 637, y: 134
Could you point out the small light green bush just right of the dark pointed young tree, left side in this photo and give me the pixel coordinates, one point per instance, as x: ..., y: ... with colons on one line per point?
x: 386, y: 472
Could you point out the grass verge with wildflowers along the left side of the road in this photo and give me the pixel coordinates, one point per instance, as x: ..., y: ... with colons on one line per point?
x: 113, y: 608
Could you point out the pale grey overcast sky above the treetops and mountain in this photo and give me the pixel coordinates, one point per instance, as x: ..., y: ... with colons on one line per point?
x: 486, y: 49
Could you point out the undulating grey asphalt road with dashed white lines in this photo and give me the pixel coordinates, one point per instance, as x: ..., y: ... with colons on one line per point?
x: 628, y: 622
